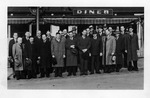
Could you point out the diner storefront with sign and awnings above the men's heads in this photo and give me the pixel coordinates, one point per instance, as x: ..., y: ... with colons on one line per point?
x: 22, y: 19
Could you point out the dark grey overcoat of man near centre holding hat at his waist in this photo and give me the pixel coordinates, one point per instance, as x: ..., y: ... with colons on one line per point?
x: 71, y: 57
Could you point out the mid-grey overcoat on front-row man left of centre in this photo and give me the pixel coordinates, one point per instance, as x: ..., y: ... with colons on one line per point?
x: 58, y: 50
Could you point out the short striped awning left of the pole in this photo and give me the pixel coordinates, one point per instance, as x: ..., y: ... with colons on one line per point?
x: 20, y: 20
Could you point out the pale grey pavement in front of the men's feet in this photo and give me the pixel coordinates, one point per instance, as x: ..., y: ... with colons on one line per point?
x: 106, y: 81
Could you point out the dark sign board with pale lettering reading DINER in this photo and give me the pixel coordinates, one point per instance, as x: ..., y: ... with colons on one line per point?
x: 93, y: 12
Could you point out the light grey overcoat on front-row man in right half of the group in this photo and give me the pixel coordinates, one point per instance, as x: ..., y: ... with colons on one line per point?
x: 108, y: 50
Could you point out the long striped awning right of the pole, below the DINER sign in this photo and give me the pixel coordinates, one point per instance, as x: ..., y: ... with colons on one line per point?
x: 88, y: 20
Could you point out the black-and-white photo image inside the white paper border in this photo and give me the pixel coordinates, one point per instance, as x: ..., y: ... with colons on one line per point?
x: 75, y: 47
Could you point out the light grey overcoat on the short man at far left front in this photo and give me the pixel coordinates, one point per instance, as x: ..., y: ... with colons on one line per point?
x: 18, y: 57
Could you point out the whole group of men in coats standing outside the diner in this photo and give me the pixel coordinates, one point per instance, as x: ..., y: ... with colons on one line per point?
x: 93, y: 51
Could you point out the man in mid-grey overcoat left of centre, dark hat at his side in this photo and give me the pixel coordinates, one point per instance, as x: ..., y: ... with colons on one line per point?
x: 58, y: 52
